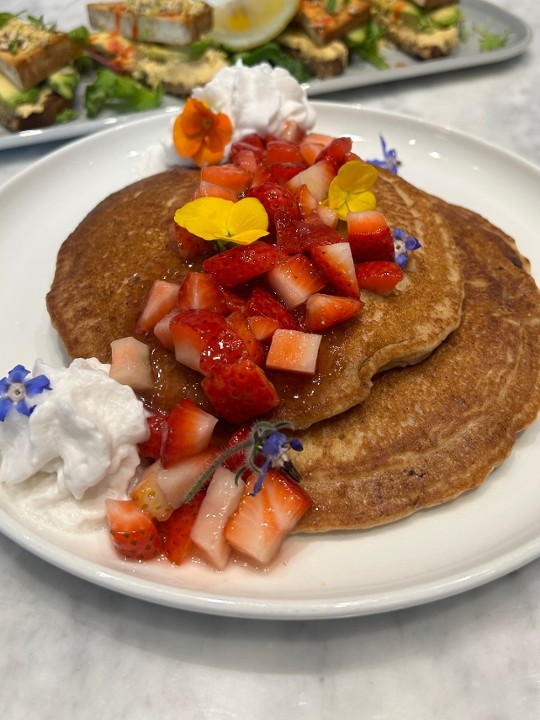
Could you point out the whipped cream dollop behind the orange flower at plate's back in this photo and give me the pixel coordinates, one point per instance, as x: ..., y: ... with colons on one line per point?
x: 256, y: 98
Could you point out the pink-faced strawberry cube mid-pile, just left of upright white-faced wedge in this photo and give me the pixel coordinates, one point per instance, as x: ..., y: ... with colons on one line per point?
x: 295, y: 280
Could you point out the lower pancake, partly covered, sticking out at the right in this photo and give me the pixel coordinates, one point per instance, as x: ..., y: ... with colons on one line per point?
x: 430, y: 432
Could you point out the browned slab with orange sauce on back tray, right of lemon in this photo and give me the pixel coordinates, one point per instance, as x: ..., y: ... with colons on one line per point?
x: 324, y: 25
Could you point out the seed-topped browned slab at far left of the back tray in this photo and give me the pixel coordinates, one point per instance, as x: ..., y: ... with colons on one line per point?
x: 30, y: 52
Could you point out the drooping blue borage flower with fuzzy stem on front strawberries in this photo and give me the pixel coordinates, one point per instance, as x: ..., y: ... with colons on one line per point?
x: 265, y: 447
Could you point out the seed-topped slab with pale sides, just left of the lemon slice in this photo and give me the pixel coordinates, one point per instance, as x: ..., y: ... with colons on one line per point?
x: 170, y: 22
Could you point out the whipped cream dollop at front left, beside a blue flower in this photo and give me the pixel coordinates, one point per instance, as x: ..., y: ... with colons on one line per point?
x: 79, y: 443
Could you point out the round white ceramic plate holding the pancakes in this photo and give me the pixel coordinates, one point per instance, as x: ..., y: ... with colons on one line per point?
x: 433, y: 554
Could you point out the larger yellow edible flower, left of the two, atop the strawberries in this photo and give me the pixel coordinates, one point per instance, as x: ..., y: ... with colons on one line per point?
x: 213, y: 218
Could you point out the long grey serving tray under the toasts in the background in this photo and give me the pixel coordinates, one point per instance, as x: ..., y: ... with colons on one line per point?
x: 359, y: 74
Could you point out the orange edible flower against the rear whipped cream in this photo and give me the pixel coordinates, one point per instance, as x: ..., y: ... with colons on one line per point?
x: 201, y: 134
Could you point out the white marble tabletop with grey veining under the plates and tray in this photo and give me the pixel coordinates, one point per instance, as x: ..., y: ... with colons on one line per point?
x: 73, y: 651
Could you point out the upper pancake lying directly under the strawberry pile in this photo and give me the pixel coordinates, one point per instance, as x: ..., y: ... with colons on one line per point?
x: 107, y: 265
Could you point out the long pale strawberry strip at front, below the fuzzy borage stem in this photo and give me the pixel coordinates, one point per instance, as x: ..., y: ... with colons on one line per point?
x: 221, y: 500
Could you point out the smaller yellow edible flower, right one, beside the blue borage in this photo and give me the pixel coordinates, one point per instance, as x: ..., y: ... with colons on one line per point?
x: 350, y: 190
